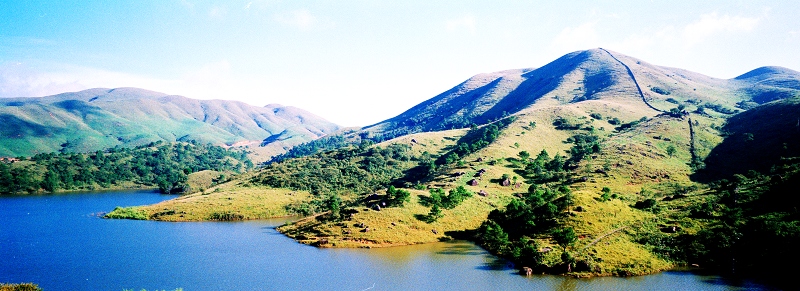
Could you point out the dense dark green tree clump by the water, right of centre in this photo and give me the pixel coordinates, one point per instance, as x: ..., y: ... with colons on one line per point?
x: 509, y: 233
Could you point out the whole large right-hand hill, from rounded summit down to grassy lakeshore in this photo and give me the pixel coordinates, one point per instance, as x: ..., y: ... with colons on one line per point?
x: 606, y: 165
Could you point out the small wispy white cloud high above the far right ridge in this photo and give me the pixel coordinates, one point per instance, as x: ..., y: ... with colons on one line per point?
x: 713, y: 23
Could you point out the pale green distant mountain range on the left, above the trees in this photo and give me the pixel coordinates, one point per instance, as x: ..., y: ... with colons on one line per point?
x: 100, y: 118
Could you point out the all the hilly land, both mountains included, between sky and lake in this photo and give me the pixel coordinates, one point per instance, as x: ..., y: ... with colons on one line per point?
x: 595, y: 164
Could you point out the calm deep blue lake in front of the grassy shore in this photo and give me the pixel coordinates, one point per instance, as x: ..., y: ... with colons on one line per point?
x: 60, y: 243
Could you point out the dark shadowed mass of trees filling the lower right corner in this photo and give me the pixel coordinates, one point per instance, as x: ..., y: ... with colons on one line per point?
x: 753, y: 225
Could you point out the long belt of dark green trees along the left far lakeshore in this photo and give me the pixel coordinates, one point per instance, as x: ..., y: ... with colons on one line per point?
x: 161, y: 164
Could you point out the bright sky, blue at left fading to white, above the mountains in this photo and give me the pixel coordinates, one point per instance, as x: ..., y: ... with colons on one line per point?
x: 357, y: 63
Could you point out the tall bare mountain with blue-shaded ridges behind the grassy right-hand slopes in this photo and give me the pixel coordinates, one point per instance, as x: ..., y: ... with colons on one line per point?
x: 587, y: 75
